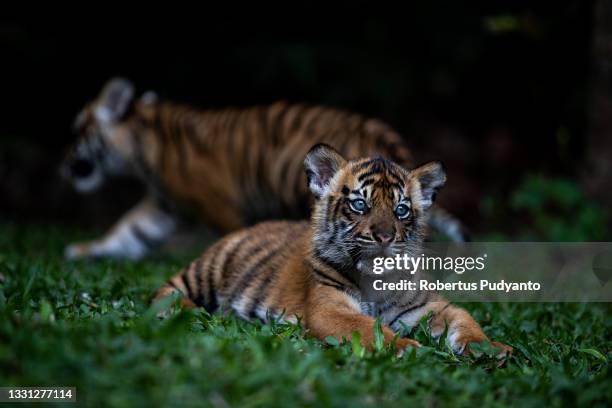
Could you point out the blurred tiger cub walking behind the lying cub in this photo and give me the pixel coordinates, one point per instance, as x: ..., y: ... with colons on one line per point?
x: 232, y: 167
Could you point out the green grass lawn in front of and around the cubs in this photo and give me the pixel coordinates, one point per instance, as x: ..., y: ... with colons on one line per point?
x: 90, y: 325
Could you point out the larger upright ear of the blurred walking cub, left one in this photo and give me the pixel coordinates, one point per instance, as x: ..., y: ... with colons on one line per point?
x: 115, y: 100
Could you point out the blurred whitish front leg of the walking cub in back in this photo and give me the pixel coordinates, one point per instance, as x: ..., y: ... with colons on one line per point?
x: 133, y: 236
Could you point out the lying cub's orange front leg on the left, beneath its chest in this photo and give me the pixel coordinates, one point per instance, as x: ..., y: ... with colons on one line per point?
x: 332, y: 313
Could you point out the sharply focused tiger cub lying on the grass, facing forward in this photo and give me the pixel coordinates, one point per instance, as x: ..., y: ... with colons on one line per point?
x: 363, y: 209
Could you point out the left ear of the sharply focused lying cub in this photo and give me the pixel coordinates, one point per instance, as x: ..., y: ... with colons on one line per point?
x: 322, y: 162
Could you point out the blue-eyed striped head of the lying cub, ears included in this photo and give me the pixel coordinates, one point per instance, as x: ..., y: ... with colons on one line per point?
x: 369, y: 207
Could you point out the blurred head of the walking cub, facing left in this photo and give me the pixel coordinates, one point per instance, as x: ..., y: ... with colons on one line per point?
x: 103, y: 131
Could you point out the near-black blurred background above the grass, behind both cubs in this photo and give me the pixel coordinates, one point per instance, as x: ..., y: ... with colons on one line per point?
x: 499, y: 92
